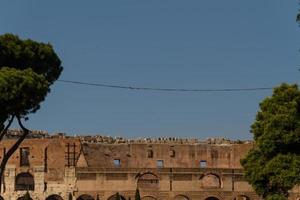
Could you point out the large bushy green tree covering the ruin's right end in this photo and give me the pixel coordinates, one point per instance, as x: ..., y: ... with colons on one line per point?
x: 272, y: 167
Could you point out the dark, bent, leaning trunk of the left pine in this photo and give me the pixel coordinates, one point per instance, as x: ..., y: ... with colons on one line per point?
x: 11, y: 151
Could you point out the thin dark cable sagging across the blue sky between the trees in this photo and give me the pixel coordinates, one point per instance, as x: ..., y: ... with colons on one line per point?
x: 165, y: 89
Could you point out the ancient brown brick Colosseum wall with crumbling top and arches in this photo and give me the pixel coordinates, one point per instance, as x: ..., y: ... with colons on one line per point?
x: 61, y: 167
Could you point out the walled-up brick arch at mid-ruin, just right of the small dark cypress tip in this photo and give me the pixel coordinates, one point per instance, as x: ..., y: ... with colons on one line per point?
x: 148, y: 181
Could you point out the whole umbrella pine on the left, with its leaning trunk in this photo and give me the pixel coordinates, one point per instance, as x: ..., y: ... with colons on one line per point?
x: 27, y: 70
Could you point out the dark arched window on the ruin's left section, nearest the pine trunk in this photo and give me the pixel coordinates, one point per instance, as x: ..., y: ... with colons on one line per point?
x: 24, y: 181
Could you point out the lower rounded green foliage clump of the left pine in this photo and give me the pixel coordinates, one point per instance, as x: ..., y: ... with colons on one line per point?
x: 21, y: 91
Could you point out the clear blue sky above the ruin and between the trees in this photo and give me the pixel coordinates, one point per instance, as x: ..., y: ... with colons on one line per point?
x: 204, y: 44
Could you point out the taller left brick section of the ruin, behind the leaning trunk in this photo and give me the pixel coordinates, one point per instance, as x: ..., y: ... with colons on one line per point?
x: 44, y: 163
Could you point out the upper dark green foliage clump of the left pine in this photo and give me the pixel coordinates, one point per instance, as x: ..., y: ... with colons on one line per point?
x: 23, y: 54
